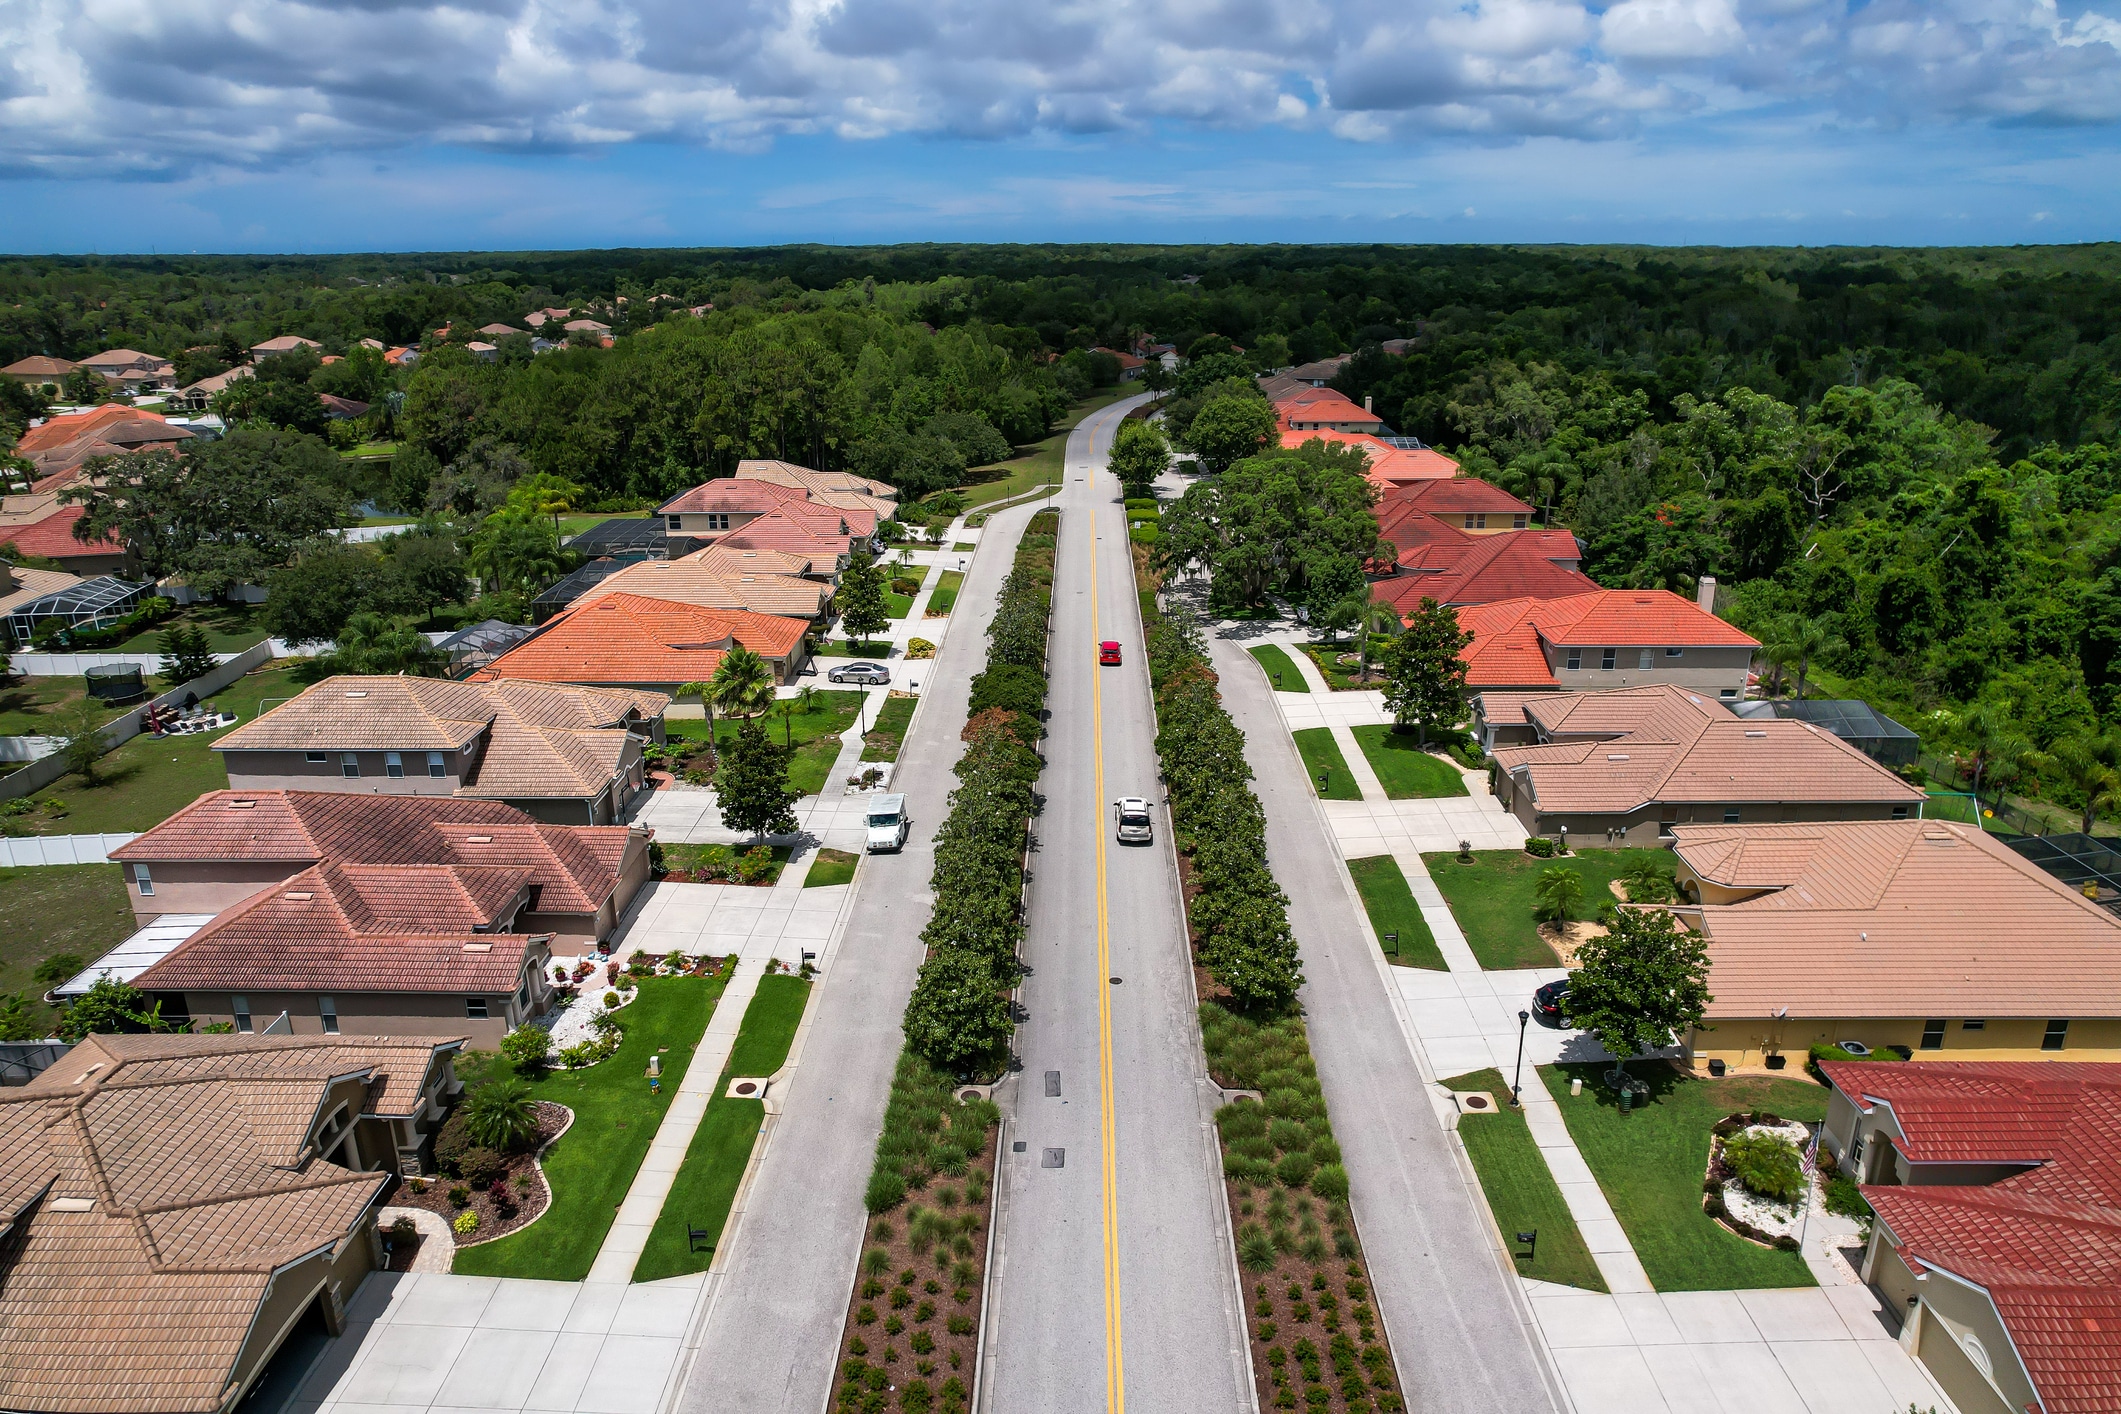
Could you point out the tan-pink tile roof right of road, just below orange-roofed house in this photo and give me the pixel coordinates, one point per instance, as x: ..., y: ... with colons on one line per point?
x: 1662, y: 745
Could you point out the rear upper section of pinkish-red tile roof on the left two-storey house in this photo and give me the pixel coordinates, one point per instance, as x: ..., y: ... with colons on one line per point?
x: 576, y: 866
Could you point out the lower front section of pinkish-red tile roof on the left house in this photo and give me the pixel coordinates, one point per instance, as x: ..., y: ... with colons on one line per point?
x: 357, y: 930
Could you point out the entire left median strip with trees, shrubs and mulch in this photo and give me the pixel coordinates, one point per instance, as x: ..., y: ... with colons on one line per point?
x: 913, y: 1320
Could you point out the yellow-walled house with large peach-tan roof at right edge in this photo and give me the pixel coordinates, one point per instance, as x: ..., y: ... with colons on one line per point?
x: 1921, y: 934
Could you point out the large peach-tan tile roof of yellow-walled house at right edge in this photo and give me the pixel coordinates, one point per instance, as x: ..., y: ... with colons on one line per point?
x: 1904, y: 919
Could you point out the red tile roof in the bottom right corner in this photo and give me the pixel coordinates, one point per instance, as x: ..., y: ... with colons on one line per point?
x: 2044, y: 1243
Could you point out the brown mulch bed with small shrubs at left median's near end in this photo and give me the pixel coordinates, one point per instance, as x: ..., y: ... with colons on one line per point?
x: 928, y: 1282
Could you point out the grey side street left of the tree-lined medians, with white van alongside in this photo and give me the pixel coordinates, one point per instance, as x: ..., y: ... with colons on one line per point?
x: 773, y: 1324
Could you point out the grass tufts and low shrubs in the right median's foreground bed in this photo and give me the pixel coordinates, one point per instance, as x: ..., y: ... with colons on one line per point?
x: 1316, y: 1339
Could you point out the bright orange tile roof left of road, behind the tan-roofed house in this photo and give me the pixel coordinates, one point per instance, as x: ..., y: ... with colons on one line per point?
x: 633, y: 641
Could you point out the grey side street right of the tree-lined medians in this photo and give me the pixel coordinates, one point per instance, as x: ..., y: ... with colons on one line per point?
x: 1460, y: 1332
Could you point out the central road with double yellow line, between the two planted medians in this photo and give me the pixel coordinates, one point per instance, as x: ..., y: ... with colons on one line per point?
x: 1112, y: 1277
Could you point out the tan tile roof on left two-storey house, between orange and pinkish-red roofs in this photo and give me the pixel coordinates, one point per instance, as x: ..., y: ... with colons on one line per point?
x: 546, y: 739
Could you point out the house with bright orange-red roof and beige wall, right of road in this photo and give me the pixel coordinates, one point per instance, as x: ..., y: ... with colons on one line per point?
x: 1605, y: 639
